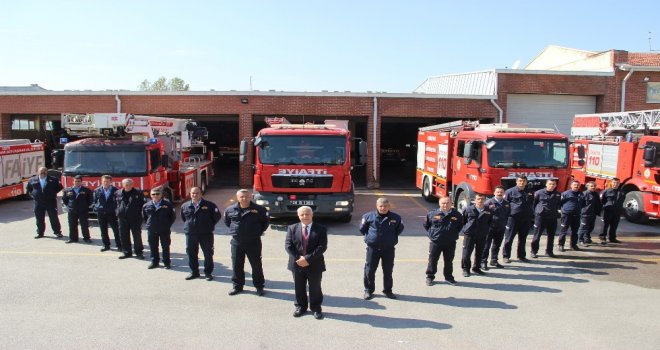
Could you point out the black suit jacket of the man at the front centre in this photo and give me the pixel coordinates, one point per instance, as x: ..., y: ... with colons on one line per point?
x: 316, y: 245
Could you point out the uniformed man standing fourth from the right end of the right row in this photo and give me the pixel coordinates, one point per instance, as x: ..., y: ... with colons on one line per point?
x: 547, y: 203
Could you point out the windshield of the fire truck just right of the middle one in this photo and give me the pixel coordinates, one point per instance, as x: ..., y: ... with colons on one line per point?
x: 528, y: 153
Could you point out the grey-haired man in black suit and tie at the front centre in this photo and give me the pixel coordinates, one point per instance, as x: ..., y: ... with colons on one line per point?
x: 305, y: 244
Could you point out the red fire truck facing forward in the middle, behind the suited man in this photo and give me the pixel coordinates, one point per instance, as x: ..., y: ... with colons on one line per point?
x: 304, y: 164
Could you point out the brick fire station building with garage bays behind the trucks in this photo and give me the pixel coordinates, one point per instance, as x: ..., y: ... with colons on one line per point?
x: 548, y: 92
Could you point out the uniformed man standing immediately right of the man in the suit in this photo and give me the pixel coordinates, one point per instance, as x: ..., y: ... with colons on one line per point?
x: 381, y: 229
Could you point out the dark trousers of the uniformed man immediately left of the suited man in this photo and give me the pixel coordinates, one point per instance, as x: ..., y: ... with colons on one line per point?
x: 251, y: 249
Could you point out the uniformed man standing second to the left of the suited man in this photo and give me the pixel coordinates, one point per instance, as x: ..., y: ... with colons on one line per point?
x: 199, y: 218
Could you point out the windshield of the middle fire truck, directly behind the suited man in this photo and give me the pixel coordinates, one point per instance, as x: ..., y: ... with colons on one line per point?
x: 301, y: 149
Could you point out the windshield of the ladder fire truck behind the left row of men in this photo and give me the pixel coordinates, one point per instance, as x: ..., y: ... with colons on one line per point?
x: 97, y: 163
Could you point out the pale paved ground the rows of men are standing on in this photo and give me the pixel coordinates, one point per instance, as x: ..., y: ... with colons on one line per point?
x: 71, y: 296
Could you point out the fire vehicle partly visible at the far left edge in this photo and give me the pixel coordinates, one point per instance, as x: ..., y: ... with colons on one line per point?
x: 19, y: 160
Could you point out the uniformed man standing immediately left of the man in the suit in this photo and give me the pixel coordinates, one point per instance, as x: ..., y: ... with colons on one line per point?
x: 247, y: 222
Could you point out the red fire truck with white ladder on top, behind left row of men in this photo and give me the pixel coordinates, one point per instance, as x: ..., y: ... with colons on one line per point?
x: 153, y: 151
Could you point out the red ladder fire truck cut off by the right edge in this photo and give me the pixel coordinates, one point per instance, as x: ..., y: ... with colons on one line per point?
x: 624, y: 145
